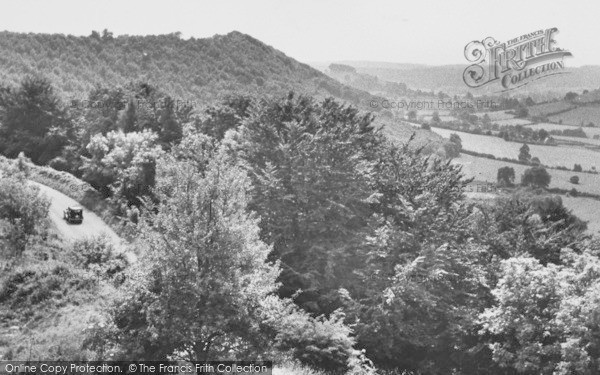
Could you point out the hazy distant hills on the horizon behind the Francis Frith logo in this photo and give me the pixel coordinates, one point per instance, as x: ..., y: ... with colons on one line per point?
x: 448, y: 78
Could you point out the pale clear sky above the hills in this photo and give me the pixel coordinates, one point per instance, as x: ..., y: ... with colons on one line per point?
x: 422, y: 32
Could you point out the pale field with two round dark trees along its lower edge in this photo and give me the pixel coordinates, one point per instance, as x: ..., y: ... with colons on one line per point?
x: 483, y: 169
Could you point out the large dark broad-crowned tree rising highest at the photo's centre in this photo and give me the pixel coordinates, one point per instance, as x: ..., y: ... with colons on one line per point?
x: 309, y: 164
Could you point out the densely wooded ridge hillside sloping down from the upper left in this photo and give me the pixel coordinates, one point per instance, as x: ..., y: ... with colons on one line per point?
x: 194, y: 69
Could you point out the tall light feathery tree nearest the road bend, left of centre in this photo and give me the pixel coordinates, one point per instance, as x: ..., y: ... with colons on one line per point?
x: 200, y: 246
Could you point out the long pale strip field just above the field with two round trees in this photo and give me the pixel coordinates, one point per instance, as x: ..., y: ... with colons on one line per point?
x: 552, y: 156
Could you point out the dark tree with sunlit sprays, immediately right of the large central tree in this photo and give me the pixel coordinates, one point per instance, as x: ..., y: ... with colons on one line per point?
x: 413, y: 249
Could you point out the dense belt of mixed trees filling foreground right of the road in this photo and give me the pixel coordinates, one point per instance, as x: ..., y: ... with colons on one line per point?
x: 291, y: 225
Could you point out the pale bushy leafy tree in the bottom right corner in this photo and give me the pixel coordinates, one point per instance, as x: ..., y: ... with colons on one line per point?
x: 545, y: 318
